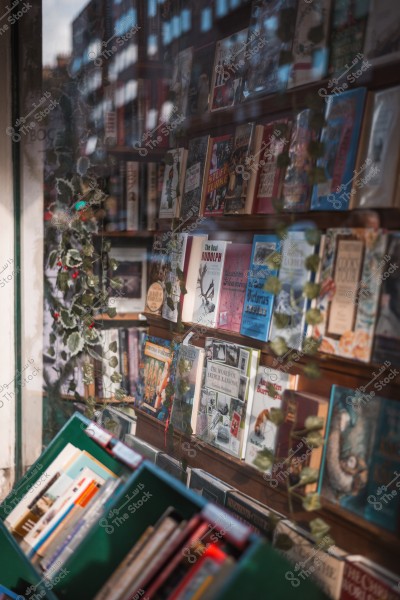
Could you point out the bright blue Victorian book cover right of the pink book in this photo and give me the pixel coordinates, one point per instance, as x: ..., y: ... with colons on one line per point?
x: 258, y: 303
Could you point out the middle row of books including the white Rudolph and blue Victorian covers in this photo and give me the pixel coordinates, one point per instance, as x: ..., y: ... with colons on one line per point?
x: 264, y: 290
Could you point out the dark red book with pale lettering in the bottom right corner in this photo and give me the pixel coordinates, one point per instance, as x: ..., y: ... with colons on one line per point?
x: 362, y: 575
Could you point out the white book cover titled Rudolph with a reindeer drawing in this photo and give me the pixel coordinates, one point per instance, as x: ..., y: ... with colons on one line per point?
x: 209, y: 278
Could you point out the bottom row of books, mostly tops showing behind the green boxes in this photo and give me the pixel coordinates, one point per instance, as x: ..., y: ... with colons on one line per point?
x: 341, y: 576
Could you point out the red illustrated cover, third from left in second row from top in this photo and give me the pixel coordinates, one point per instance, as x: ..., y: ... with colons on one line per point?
x: 217, y: 175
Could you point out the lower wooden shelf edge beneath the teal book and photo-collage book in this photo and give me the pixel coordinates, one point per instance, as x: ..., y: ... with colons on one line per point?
x: 353, y: 534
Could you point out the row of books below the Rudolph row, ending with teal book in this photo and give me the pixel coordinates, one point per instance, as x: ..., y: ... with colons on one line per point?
x: 229, y: 401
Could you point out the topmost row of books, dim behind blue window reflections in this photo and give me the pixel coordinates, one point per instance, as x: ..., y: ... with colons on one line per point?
x: 288, y: 43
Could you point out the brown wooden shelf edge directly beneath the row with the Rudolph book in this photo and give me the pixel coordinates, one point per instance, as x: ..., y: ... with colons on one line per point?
x: 334, y: 370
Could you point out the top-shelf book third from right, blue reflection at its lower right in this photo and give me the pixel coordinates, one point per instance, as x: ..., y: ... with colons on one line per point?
x: 310, y: 43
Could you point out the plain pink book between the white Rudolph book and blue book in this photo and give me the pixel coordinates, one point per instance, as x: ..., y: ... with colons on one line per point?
x: 233, y: 286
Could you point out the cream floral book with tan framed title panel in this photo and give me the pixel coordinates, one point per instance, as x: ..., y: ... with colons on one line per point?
x: 350, y: 278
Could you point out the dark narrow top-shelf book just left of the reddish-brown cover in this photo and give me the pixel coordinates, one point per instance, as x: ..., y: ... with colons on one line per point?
x: 200, y: 81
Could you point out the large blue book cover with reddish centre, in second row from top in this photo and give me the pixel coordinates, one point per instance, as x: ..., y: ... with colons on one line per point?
x: 340, y: 135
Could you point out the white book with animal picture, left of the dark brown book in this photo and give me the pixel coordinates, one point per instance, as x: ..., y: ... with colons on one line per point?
x: 261, y: 440
